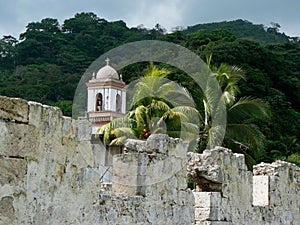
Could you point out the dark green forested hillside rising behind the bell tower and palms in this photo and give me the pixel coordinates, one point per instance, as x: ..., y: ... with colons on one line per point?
x: 46, y: 62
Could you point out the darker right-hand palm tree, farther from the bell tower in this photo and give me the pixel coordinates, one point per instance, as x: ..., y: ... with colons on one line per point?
x: 242, y: 134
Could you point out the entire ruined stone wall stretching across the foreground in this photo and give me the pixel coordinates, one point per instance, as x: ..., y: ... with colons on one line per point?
x: 52, y: 173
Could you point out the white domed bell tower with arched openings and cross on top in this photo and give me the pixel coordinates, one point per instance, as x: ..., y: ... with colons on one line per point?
x: 106, y: 97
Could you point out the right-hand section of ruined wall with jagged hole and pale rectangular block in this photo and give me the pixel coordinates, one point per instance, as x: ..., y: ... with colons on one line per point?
x: 229, y: 194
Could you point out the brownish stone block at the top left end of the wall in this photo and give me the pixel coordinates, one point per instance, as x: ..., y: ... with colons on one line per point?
x: 14, y: 109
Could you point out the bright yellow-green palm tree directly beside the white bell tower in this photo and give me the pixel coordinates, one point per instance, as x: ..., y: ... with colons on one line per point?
x: 157, y: 105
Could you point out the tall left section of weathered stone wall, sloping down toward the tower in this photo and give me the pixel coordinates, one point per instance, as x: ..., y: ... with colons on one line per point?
x: 46, y: 166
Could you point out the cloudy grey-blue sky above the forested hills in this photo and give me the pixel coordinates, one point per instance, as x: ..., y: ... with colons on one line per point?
x: 15, y: 15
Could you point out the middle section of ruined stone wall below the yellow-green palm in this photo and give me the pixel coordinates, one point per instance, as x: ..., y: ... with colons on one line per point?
x: 149, y: 185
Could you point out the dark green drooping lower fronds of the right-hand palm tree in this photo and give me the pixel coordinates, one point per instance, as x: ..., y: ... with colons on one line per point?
x: 242, y: 134
